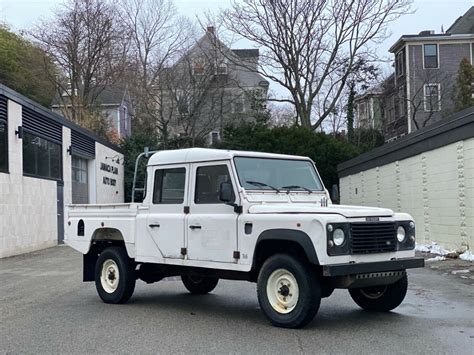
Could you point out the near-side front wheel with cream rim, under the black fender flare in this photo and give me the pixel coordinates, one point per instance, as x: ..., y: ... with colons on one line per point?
x: 308, y: 286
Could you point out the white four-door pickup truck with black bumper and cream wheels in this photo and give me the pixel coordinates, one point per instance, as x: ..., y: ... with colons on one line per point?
x: 215, y: 214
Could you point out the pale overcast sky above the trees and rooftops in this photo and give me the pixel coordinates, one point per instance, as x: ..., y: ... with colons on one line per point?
x: 428, y: 15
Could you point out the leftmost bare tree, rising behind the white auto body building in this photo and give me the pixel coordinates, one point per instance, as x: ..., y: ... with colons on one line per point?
x: 89, y: 47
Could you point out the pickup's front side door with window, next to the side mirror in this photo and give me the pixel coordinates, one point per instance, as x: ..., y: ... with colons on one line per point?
x: 211, y: 224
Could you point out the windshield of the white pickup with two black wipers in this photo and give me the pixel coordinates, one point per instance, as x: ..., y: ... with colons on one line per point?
x: 277, y: 174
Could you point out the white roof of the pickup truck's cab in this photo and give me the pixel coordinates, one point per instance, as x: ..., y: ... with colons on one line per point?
x: 193, y: 155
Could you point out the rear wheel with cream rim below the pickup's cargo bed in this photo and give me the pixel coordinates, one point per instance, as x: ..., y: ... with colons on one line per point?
x: 124, y: 281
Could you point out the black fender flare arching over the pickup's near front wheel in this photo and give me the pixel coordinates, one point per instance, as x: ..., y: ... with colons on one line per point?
x: 290, y: 235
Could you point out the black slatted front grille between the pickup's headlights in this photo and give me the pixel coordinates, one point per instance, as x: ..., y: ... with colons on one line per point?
x: 367, y: 238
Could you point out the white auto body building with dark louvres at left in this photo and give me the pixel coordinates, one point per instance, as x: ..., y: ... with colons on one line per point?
x: 47, y: 162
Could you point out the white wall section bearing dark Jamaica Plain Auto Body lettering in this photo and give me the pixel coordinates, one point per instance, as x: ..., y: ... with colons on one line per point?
x: 105, y: 192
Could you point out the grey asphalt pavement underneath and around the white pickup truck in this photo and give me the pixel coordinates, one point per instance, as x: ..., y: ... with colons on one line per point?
x: 45, y: 308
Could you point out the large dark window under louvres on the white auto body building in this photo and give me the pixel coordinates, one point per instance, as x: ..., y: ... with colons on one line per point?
x: 41, y: 157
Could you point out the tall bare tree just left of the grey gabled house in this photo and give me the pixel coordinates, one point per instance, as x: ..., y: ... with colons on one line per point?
x: 158, y: 36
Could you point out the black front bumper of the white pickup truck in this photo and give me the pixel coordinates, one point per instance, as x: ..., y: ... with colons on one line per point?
x: 372, y: 267
